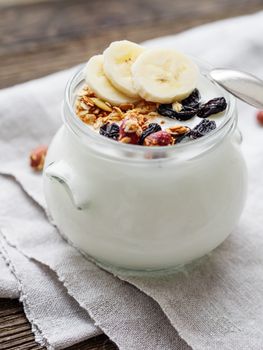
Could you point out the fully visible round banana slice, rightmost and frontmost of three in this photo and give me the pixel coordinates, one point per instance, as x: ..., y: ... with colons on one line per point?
x: 164, y: 75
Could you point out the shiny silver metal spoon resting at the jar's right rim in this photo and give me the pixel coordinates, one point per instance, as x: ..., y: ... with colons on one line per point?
x: 244, y: 86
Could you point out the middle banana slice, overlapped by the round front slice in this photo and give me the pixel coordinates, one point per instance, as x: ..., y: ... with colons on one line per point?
x: 118, y: 59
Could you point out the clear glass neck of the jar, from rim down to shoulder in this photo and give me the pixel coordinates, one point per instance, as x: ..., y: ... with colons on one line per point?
x: 110, y: 149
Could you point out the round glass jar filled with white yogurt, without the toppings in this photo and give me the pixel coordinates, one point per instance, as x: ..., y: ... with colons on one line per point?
x: 144, y: 208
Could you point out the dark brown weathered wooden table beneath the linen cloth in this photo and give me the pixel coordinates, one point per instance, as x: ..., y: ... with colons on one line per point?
x: 41, y: 37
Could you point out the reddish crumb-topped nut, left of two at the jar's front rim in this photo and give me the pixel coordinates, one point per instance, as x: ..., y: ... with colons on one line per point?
x: 130, y: 128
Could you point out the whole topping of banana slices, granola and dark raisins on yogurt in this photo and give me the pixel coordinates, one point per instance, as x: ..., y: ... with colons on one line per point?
x: 142, y: 96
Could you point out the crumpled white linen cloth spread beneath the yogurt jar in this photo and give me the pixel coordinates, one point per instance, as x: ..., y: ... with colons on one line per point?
x: 214, y: 305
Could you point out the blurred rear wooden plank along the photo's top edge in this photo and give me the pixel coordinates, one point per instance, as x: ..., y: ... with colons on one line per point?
x: 51, y: 22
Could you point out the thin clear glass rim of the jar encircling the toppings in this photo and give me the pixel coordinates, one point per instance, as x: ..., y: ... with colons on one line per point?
x: 79, y: 128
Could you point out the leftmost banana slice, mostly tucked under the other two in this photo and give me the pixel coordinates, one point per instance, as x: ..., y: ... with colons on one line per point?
x: 99, y: 83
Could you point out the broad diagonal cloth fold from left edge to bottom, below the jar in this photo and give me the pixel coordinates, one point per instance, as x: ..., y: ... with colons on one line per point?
x: 129, y: 317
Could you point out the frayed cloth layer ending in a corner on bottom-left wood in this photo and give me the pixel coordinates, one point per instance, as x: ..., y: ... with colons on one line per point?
x: 56, y: 318
